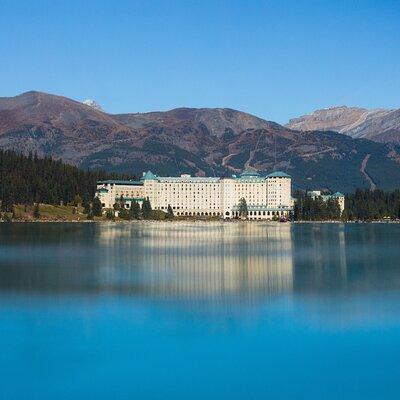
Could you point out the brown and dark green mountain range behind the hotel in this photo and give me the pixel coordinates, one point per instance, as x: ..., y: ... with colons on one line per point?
x: 205, y: 141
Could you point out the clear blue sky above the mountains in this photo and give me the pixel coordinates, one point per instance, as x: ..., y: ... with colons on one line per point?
x: 276, y: 59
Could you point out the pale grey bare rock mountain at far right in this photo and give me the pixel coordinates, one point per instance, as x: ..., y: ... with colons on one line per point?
x: 379, y: 125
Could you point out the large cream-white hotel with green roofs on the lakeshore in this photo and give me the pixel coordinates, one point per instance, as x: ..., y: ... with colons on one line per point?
x: 267, y: 197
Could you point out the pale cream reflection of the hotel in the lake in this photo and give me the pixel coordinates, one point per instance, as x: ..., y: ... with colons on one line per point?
x: 198, y: 260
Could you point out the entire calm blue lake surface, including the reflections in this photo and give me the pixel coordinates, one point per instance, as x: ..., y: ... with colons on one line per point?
x: 199, y: 311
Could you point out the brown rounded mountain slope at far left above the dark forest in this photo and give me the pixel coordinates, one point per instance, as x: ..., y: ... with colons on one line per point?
x: 56, y: 126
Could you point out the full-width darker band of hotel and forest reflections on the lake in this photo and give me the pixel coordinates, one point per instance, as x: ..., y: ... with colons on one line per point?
x: 198, y: 260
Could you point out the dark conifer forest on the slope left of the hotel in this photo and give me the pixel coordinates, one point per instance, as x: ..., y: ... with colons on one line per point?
x: 28, y: 179
